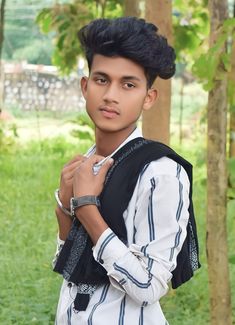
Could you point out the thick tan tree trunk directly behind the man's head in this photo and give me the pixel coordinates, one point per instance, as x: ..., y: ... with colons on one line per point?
x: 156, y: 122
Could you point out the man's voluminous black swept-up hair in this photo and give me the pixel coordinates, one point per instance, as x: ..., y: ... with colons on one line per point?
x: 131, y: 38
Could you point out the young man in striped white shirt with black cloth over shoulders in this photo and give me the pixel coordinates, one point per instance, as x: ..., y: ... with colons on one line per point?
x: 130, y: 199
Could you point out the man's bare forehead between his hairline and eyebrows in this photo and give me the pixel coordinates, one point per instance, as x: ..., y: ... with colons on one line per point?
x: 117, y: 67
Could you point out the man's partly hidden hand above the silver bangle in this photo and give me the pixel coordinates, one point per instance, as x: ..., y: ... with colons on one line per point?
x: 66, y: 179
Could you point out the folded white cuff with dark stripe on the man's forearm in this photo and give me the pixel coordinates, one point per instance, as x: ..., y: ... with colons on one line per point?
x: 108, y: 249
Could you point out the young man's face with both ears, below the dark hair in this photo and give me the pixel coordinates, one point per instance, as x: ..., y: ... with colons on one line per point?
x: 115, y: 93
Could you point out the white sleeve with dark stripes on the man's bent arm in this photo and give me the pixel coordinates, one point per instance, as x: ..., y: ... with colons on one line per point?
x: 159, y: 217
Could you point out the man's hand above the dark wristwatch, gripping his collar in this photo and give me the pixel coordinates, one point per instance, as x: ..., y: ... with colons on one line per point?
x: 85, y: 182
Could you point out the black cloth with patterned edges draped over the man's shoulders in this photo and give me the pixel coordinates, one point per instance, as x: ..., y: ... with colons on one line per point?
x: 76, y: 262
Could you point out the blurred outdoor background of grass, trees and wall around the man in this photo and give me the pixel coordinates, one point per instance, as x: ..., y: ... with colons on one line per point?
x: 43, y: 124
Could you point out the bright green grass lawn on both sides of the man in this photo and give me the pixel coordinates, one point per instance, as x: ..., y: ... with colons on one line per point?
x: 28, y: 287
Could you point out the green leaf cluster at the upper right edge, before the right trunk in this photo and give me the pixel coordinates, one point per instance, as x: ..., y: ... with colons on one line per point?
x: 216, y: 63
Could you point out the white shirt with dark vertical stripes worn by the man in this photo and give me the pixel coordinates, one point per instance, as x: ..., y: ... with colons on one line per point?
x: 139, y: 272
